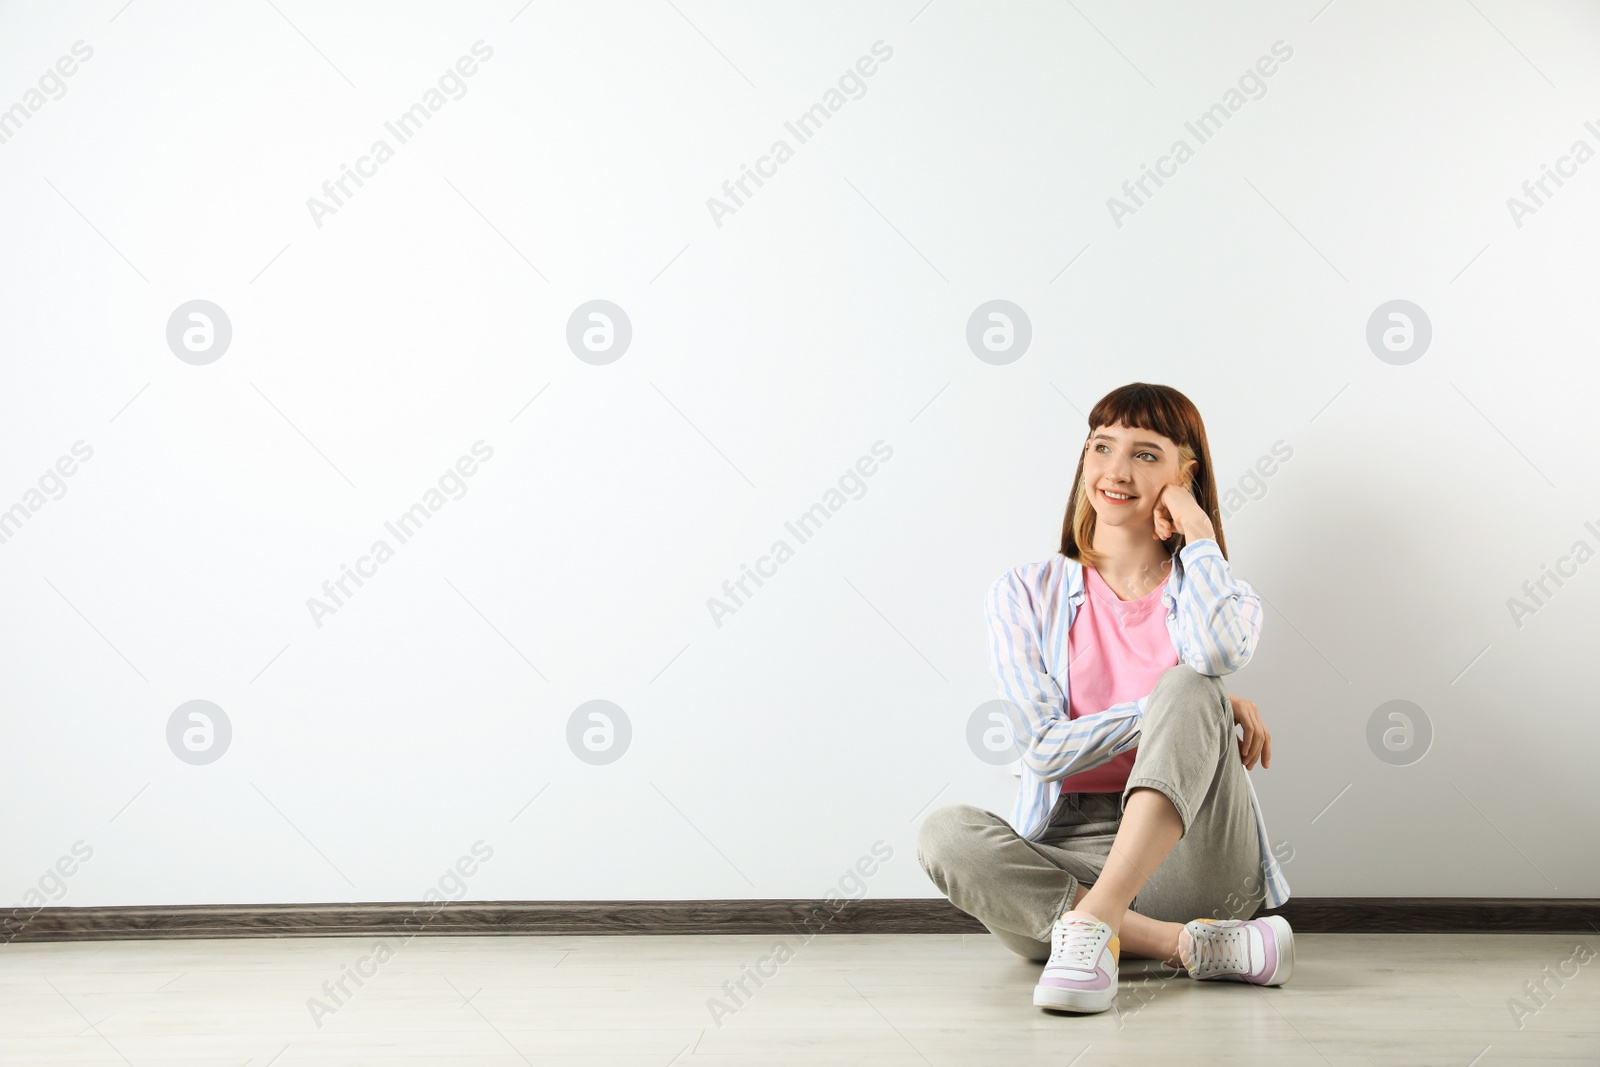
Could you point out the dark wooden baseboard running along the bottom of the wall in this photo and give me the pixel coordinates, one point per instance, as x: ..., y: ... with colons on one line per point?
x: 914, y: 916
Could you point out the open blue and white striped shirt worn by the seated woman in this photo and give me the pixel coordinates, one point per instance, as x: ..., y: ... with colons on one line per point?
x: 1214, y: 620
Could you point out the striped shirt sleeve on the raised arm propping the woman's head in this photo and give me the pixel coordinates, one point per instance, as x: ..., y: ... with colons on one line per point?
x: 1218, y: 615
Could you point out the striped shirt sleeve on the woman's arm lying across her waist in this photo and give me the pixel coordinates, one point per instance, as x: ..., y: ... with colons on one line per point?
x: 1050, y: 743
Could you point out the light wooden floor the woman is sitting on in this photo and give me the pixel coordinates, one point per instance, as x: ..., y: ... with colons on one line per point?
x: 889, y: 1001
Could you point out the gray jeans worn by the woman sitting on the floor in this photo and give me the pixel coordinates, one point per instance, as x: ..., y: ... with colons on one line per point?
x: 1190, y: 753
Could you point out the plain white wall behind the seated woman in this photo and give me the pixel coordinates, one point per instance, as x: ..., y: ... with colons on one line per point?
x: 769, y: 354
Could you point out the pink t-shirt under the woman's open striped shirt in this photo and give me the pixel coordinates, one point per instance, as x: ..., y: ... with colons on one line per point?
x: 1116, y: 652
